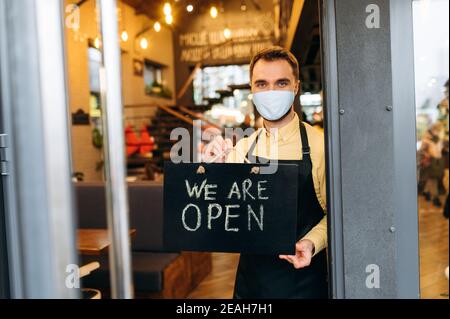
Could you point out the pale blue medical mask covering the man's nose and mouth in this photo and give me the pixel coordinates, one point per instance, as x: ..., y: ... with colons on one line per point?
x: 273, y: 104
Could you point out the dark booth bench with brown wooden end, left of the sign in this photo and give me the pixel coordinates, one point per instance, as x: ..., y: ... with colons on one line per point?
x: 156, y: 274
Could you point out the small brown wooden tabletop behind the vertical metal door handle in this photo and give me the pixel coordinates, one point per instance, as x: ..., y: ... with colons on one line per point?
x: 94, y: 241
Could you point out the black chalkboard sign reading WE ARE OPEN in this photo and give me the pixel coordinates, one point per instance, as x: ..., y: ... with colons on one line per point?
x: 230, y: 208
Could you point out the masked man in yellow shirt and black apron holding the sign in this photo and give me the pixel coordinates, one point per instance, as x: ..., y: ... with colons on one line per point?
x: 274, y: 78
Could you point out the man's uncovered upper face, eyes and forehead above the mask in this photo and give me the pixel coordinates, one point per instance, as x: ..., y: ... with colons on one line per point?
x: 273, y: 75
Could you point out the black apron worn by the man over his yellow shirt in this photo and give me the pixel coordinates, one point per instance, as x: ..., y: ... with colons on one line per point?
x: 268, y: 276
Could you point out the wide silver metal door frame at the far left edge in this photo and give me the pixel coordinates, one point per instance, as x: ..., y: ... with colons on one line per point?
x: 38, y: 192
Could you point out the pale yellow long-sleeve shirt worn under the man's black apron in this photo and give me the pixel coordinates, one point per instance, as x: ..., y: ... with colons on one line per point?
x: 289, y: 147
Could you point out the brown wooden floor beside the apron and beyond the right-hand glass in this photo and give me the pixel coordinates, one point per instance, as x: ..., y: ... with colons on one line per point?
x: 434, y: 237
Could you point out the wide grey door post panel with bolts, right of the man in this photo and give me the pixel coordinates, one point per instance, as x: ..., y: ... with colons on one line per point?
x: 366, y: 137
